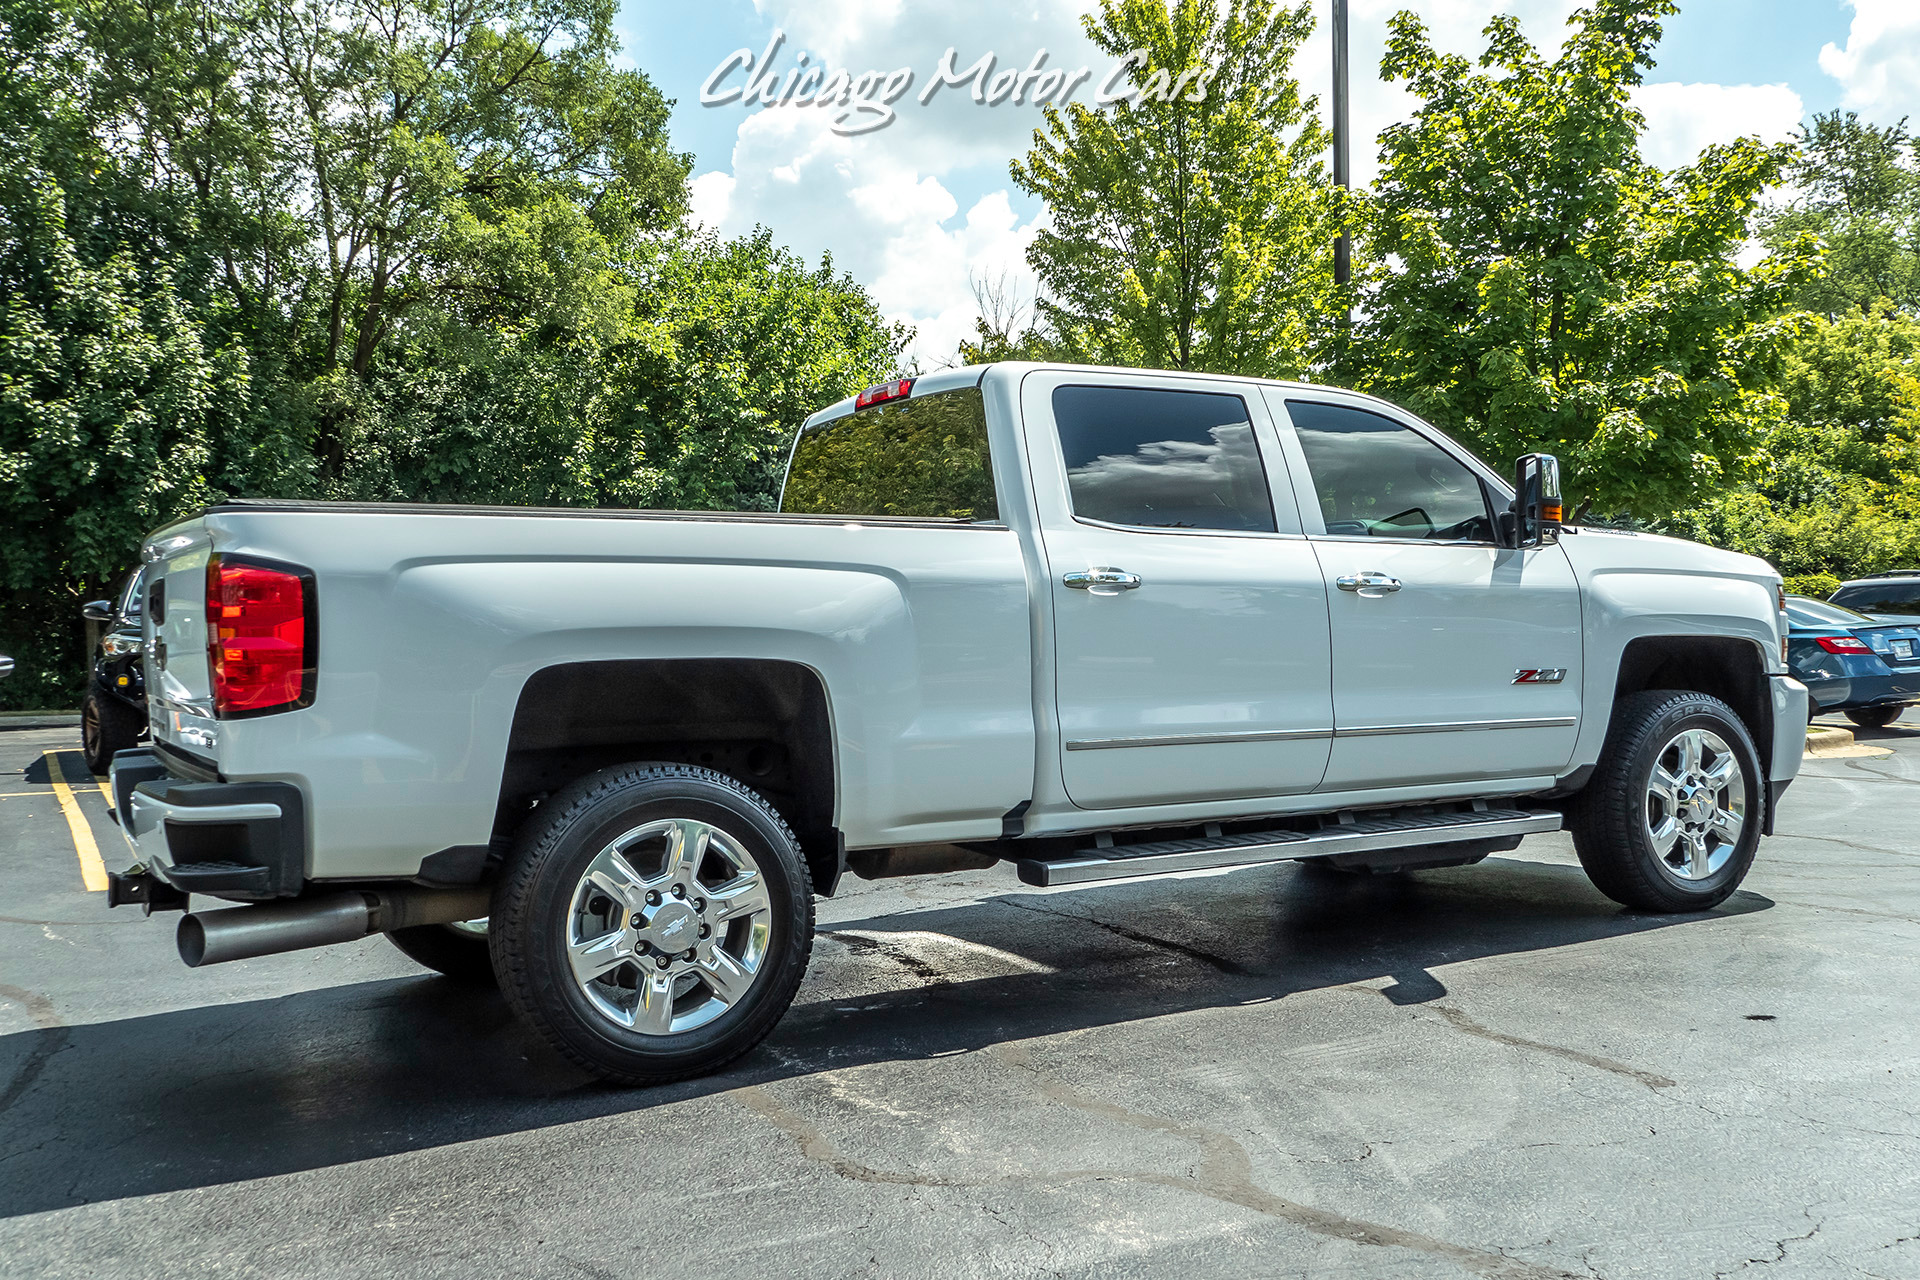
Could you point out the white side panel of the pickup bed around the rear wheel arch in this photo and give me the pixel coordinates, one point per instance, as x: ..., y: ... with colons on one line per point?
x: 431, y: 625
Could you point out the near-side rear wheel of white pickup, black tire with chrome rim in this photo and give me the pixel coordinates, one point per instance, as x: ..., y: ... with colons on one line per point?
x: 654, y: 922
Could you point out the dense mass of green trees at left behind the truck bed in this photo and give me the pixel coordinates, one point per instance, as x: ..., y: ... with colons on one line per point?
x: 364, y: 250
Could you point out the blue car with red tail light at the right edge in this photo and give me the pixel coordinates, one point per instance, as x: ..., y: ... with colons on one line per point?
x: 1852, y: 663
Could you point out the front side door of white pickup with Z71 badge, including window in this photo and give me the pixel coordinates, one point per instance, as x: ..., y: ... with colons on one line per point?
x: 1454, y: 659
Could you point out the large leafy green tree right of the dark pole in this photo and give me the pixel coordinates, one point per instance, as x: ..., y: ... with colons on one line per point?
x: 1537, y: 285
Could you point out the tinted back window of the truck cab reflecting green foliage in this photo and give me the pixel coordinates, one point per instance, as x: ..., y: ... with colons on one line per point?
x: 923, y: 458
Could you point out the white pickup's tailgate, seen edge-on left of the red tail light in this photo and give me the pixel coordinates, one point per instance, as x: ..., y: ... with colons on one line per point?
x: 180, y: 684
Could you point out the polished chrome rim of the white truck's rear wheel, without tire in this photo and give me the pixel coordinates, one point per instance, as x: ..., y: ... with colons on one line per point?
x: 669, y: 928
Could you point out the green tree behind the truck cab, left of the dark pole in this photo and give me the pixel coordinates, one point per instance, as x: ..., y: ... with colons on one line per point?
x: 1191, y: 224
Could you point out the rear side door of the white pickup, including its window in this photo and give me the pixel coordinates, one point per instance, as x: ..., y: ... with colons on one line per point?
x: 1189, y: 611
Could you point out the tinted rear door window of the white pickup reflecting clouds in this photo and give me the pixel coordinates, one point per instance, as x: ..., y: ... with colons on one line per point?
x: 1163, y: 460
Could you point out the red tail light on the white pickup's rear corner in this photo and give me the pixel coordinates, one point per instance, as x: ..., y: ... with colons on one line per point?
x: 260, y: 636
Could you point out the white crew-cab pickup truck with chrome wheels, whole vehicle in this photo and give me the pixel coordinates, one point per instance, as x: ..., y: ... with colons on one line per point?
x: 1090, y: 623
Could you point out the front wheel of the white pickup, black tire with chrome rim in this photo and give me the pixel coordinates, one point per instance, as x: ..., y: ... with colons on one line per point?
x: 1673, y: 815
